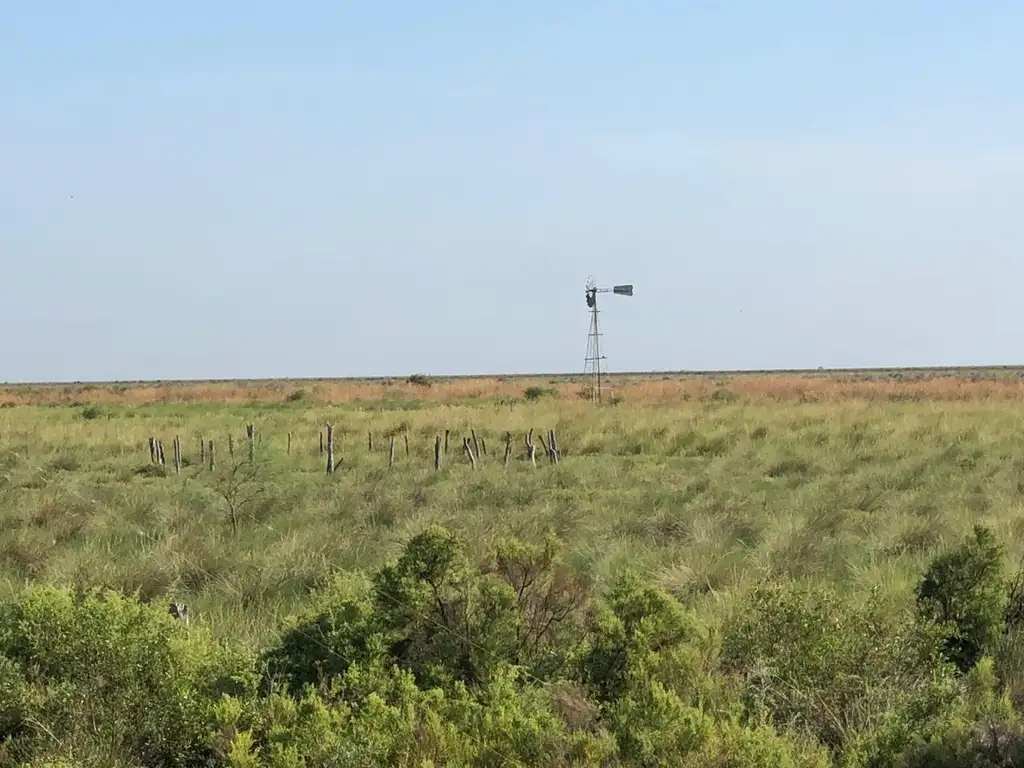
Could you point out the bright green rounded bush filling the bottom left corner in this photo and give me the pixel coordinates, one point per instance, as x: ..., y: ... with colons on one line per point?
x: 108, y: 680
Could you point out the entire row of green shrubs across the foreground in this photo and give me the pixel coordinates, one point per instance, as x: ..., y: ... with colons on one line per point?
x: 437, y: 660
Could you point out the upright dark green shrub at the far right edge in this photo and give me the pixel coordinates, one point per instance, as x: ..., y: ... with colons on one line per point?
x: 965, y: 591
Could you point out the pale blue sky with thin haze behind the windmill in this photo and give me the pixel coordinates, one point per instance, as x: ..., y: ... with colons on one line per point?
x: 234, y: 189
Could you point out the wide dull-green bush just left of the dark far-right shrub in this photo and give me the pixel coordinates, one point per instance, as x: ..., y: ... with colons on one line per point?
x: 839, y: 670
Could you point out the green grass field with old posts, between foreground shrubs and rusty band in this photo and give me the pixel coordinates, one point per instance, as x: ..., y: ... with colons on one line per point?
x: 704, y: 498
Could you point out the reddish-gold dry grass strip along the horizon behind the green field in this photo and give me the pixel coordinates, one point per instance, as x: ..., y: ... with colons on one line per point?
x: 635, y: 391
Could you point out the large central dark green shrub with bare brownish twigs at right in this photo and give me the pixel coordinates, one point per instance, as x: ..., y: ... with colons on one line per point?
x: 435, y: 615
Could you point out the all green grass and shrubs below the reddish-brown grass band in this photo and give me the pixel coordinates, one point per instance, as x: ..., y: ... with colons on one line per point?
x: 717, y: 582
